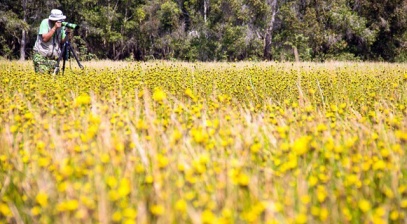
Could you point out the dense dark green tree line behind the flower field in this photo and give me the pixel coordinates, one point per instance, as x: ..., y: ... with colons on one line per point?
x: 216, y: 30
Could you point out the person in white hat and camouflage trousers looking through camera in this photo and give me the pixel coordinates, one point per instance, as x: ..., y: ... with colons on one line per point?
x: 48, y: 44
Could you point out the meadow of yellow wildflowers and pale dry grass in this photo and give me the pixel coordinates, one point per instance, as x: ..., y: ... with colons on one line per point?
x: 173, y: 142
